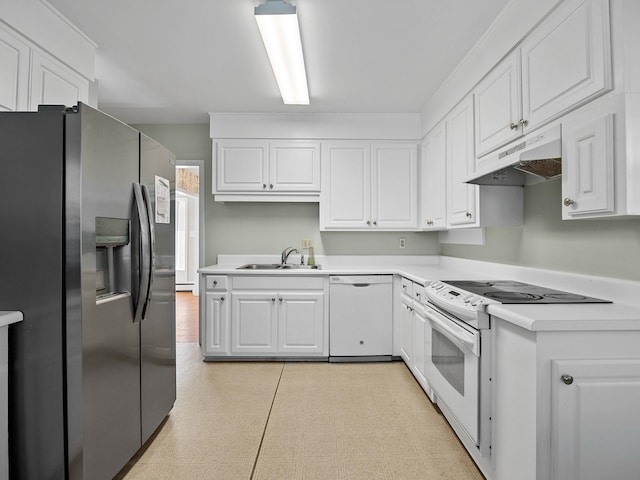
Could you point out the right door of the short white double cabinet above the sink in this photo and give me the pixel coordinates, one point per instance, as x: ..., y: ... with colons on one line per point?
x: 294, y: 166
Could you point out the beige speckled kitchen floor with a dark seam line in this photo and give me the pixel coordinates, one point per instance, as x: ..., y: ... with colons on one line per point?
x: 281, y: 421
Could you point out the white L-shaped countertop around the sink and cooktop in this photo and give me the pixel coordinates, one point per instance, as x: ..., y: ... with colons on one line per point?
x: 622, y: 314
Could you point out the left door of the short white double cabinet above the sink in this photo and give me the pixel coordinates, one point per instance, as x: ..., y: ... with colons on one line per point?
x: 242, y: 166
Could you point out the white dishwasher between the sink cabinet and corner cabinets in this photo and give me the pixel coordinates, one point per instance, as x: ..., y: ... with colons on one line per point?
x: 360, y: 318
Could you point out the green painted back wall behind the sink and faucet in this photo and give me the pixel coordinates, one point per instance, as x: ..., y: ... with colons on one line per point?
x: 267, y: 228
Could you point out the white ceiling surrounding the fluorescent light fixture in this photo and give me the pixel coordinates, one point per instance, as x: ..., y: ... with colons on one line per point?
x: 167, y: 61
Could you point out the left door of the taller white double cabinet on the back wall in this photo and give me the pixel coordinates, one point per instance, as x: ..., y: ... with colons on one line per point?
x: 345, y: 199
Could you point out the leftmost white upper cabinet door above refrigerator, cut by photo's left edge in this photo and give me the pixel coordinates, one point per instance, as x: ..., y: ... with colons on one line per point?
x: 14, y: 73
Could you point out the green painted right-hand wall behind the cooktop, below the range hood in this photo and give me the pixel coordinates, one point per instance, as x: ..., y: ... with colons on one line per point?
x: 609, y: 248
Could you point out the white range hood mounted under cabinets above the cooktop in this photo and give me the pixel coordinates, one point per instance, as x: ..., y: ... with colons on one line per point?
x: 531, y: 159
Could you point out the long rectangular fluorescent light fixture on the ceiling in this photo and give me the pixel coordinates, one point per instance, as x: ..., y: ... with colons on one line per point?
x: 278, y: 25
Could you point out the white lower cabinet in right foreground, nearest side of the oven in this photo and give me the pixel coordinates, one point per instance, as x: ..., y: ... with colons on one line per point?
x: 565, y: 404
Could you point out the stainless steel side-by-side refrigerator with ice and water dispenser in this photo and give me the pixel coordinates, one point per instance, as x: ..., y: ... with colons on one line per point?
x: 87, y: 254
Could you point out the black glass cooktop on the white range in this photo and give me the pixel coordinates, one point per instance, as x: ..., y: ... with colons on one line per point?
x: 508, y: 291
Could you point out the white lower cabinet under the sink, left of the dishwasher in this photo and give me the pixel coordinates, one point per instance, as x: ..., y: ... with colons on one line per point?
x: 265, y: 317
